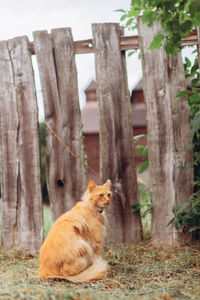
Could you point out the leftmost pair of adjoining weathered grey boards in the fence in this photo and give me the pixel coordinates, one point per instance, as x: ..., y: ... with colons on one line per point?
x: 20, y: 186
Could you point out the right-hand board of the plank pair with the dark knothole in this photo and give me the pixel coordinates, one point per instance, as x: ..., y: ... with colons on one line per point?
x: 71, y: 125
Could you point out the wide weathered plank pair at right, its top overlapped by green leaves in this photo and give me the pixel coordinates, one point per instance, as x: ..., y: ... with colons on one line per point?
x: 168, y: 127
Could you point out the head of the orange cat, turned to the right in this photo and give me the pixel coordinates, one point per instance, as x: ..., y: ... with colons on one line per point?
x: 98, y: 197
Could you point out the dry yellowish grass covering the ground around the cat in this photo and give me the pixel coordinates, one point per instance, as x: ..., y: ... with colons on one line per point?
x: 140, y: 272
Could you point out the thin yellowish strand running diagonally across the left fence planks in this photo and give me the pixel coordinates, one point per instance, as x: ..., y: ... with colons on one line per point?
x: 56, y: 135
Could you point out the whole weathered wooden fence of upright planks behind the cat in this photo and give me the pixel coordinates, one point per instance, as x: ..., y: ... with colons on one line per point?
x: 22, y: 224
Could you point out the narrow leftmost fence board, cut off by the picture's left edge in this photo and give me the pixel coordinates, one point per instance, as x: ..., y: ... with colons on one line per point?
x: 9, y: 150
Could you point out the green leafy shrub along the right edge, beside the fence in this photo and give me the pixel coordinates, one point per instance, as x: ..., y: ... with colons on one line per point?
x: 187, y: 215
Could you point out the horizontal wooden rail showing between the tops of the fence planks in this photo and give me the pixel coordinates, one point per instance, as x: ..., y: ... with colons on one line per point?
x: 126, y: 43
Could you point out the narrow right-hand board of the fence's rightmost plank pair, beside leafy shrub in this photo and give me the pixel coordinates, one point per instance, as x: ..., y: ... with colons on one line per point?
x: 181, y: 131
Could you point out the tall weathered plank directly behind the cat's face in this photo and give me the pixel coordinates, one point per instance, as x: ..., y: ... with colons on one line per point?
x: 117, y: 159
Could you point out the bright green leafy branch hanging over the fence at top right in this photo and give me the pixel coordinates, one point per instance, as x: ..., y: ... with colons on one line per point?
x: 177, y: 17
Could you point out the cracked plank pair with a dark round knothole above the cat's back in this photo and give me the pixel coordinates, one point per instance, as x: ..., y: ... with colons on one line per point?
x: 65, y: 172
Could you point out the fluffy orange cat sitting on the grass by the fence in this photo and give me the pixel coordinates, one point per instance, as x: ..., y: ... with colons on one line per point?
x: 72, y: 249
